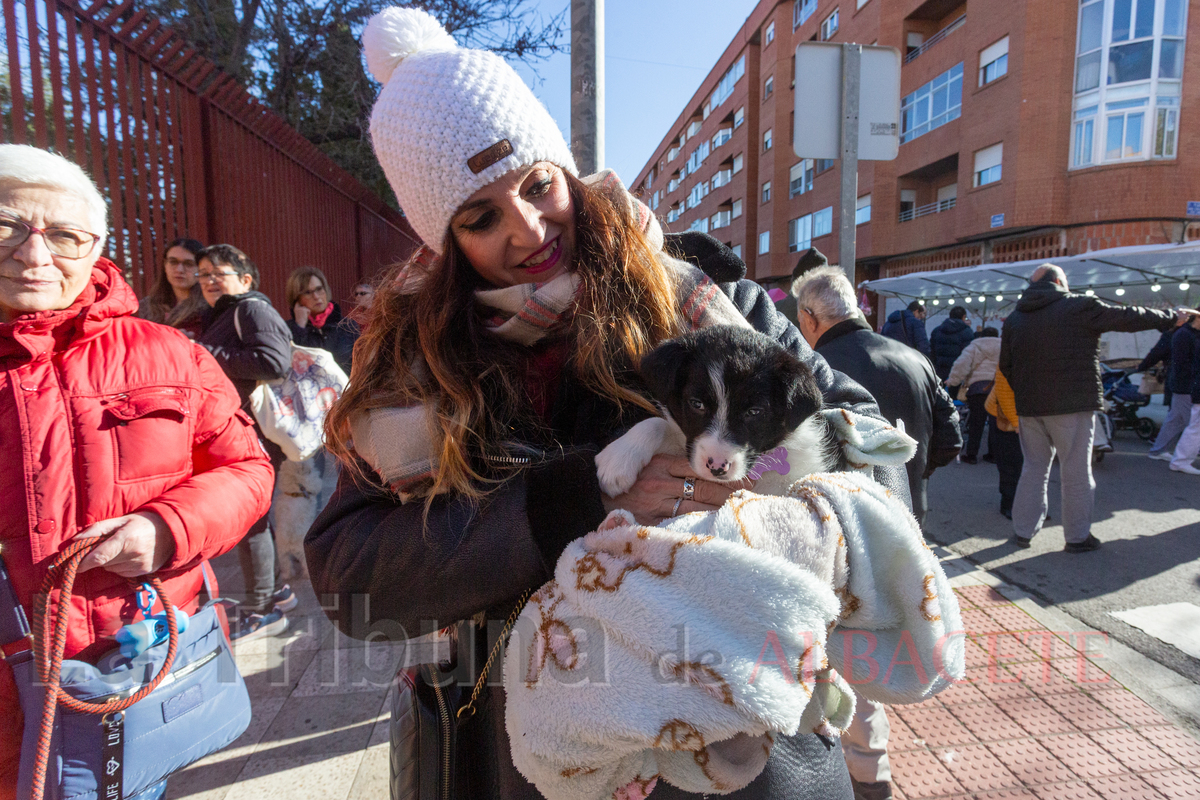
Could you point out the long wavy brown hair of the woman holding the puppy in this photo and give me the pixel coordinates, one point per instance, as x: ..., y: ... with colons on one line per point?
x: 428, y: 344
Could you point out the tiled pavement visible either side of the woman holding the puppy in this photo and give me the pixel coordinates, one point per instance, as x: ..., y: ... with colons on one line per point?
x: 1039, y: 718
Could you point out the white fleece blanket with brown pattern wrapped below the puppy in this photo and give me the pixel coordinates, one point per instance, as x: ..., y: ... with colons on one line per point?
x: 680, y: 652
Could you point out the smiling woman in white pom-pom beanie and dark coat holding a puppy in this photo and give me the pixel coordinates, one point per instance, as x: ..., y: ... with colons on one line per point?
x: 497, y: 365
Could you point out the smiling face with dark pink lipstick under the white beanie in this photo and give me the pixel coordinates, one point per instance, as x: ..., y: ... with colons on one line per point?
x: 519, y: 228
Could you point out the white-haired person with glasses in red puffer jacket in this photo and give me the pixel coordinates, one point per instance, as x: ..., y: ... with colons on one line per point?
x: 110, y: 425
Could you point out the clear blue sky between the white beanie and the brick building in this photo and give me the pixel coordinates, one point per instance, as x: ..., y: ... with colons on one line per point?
x: 658, y: 52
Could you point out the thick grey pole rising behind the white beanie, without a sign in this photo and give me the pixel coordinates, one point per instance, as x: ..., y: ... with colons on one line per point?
x: 587, y: 85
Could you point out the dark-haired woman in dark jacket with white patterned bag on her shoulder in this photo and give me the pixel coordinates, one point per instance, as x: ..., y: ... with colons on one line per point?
x: 251, y: 342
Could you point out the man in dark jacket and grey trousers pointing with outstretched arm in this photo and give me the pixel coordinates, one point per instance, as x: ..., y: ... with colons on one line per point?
x: 1051, y: 356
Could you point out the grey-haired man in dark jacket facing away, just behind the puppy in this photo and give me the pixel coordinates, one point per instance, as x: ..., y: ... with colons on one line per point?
x: 904, y: 384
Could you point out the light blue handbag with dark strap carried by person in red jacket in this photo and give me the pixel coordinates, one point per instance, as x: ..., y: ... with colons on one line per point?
x: 200, y: 707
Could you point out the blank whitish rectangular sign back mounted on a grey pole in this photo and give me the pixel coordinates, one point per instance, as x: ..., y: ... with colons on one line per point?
x: 819, y: 103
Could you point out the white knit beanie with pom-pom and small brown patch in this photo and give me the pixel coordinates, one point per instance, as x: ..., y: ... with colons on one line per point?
x: 449, y: 121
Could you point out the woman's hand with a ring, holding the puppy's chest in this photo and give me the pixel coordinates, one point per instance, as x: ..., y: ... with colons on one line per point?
x: 652, y: 500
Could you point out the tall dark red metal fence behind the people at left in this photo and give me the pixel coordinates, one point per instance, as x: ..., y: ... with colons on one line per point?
x: 179, y: 148
